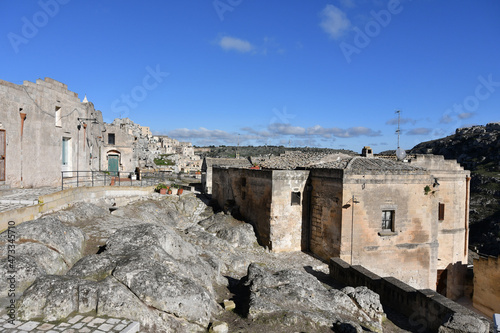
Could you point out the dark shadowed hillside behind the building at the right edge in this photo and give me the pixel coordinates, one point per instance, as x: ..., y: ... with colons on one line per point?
x: 477, y: 149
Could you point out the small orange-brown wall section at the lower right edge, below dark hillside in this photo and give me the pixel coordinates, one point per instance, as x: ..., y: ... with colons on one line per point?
x: 487, y: 285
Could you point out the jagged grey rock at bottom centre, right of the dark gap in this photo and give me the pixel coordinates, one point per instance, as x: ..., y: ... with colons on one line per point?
x: 292, y: 296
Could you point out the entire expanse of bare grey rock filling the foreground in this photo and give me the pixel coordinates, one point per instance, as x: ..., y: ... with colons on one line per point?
x: 176, y: 266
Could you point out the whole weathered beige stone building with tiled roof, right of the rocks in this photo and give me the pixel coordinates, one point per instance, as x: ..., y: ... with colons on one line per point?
x: 407, y: 220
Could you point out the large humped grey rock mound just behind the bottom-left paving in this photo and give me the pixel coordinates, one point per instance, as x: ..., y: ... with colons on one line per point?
x: 147, y: 273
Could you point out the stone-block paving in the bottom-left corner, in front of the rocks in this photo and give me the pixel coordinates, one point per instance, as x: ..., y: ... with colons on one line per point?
x: 77, y: 323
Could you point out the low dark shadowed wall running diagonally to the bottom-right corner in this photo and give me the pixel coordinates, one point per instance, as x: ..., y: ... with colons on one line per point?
x: 426, y: 309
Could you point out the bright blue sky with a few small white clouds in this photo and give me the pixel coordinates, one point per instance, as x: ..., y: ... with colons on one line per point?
x: 308, y: 73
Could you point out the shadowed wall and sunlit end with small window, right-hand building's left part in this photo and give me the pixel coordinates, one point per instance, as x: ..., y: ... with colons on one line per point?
x: 264, y: 199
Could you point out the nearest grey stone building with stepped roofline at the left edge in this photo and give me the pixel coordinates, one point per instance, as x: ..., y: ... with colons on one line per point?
x: 46, y: 129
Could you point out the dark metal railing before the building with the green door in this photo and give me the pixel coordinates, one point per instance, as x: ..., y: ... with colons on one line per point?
x: 107, y: 178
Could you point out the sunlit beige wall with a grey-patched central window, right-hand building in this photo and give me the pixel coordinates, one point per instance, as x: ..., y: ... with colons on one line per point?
x: 408, y: 250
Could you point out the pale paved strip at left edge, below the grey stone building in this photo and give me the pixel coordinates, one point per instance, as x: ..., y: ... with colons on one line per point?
x: 17, y: 198
